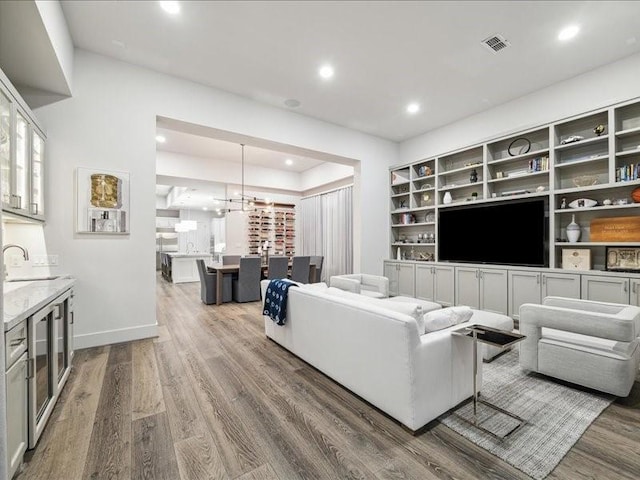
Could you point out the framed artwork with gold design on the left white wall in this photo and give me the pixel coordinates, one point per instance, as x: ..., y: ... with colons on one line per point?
x: 102, y: 198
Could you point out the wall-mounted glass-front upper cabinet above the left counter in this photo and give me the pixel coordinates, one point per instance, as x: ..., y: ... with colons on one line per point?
x: 22, y: 148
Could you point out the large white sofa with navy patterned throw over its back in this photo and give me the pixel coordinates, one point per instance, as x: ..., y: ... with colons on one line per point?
x: 376, y: 351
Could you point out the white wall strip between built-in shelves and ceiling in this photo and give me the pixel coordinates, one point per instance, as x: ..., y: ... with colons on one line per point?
x: 596, y: 89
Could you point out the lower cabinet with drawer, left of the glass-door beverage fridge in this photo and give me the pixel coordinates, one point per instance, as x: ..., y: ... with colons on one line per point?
x: 16, y: 383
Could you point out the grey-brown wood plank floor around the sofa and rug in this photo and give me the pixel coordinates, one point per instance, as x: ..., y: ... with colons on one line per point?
x: 211, y: 397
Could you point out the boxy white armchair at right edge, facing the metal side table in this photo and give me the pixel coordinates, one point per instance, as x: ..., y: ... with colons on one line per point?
x: 593, y: 344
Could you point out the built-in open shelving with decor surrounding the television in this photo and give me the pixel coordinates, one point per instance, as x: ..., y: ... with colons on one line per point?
x: 595, y: 155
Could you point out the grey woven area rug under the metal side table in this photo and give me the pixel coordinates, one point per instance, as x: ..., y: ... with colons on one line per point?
x: 556, y: 416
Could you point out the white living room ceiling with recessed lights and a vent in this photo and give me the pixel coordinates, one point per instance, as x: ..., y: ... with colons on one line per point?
x: 386, y: 53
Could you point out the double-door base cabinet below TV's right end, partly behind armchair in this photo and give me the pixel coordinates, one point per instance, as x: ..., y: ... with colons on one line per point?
x: 532, y: 286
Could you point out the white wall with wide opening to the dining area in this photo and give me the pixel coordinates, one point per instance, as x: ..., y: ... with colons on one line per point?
x: 110, y: 122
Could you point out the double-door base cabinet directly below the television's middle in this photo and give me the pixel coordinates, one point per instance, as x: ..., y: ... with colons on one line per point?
x: 483, y: 289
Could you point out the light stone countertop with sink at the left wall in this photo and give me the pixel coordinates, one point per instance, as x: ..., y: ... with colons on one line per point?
x: 24, y: 300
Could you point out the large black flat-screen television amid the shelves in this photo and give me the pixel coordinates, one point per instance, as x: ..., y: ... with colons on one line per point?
x: 507, y: 233
